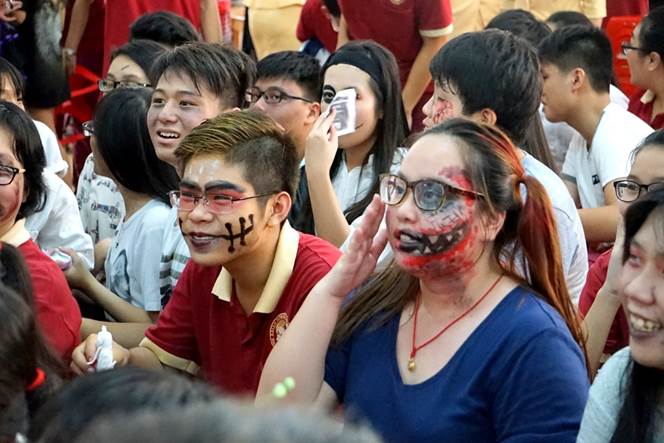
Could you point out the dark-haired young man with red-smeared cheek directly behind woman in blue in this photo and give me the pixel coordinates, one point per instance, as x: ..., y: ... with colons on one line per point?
x: 500, y: 85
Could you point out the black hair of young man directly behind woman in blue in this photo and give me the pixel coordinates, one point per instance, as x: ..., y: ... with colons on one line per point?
x: 492, y: 69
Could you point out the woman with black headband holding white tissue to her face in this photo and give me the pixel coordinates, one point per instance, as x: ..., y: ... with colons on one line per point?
x: 342, y: 172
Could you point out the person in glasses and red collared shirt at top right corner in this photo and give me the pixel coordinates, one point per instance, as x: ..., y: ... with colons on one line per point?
x: 645, y: 57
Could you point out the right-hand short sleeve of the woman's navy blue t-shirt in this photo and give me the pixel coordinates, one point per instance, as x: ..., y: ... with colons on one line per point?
x: 541, y: 391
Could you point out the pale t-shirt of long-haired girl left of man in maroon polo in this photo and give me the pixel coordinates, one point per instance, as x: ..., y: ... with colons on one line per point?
x: 132, y: 263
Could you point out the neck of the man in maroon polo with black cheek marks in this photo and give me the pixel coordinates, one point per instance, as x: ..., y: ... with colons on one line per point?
x: 250, y: 272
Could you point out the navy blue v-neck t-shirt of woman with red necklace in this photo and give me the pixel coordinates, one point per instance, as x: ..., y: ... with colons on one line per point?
x: 519, y: 378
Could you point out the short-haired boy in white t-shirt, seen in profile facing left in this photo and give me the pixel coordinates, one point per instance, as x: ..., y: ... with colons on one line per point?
x: 577, y: 70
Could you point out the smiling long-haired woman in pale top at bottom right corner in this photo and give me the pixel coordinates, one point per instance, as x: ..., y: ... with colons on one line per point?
x: 626, y: 399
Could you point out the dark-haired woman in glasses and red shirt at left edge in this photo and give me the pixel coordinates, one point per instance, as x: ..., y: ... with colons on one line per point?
x: 23, y: 191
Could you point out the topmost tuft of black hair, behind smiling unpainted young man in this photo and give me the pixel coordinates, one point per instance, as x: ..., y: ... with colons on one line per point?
x: 163, y: 27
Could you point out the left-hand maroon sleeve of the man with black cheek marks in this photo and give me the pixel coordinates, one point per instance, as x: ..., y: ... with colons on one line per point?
x: 173, y: 338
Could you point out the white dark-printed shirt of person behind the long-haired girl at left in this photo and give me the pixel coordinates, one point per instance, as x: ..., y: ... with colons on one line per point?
x: 100, y: 202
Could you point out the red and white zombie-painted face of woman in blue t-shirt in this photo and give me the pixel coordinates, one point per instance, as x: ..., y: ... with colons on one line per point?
x: 441, y: 243
